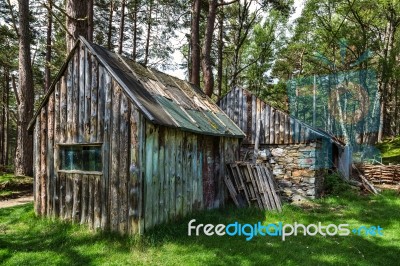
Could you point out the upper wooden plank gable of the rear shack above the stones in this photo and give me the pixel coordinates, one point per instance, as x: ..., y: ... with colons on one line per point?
x: 276, y: 126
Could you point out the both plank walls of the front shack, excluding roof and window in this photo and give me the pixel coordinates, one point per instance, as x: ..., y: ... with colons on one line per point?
x: 150, y: 174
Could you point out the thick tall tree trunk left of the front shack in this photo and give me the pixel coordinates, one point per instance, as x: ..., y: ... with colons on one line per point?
x: 24, y: 149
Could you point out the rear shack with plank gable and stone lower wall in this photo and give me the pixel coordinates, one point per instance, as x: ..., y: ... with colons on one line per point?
x: 299, y: 153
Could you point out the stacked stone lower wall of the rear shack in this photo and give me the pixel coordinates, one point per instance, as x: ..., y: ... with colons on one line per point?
x: 295, y: 167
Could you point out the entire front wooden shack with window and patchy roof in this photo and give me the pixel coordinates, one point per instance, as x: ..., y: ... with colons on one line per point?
x: 122, y: 147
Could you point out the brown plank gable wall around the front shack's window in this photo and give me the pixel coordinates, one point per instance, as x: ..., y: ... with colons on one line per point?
x: 88, y: 107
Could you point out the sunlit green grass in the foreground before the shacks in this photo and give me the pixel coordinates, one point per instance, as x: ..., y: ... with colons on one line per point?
x: 28, y: 240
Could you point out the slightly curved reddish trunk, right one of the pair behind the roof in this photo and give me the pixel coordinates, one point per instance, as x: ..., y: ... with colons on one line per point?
x: 206, y: 63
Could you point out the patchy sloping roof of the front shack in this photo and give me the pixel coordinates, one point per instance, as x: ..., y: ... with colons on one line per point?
x: 163, y: 99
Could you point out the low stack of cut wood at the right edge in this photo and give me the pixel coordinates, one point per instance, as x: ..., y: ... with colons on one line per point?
x: 381, y: 174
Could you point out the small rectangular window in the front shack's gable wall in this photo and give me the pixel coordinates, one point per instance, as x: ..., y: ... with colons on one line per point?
x: 81, y: 157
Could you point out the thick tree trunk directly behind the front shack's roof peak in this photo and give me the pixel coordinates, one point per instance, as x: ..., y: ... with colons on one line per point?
x: 77, y: 21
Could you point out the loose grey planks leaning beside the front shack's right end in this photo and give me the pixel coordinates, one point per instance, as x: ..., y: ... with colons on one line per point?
x: 252, y: 185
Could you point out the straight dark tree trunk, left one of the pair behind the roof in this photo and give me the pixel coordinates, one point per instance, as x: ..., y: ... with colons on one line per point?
x: 195, y: 43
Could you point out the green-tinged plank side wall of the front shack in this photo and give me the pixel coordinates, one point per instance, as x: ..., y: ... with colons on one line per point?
x: 183, y: 172
